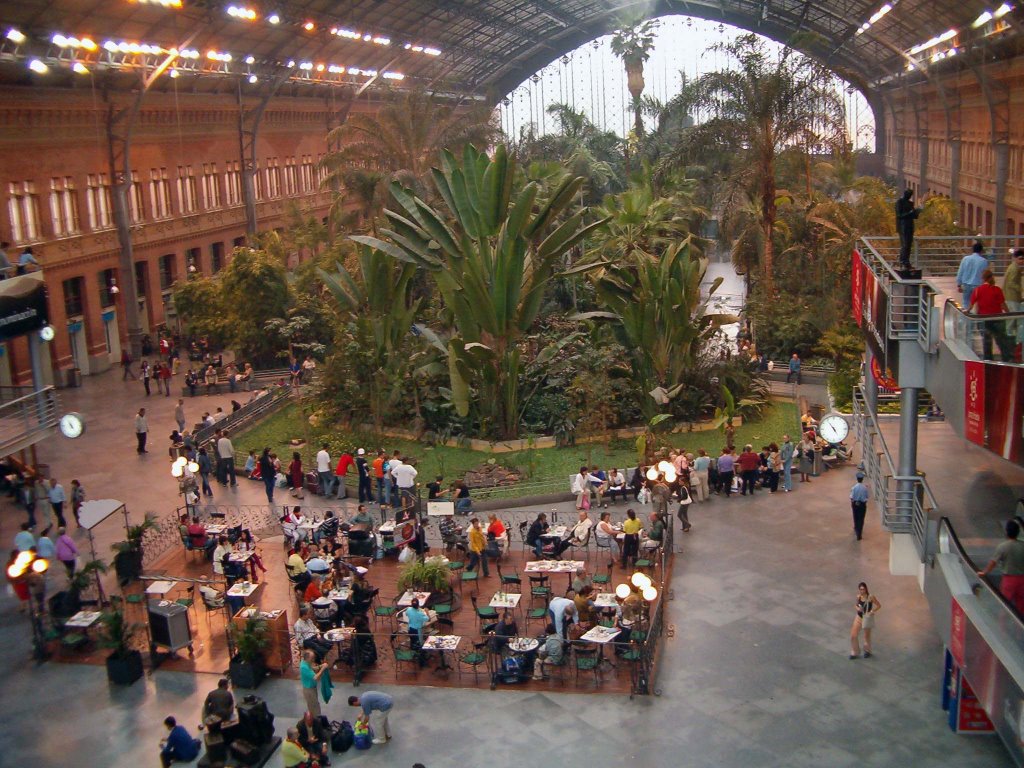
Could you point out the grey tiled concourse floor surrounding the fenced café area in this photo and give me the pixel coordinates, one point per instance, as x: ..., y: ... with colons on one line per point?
x: 756, y: 673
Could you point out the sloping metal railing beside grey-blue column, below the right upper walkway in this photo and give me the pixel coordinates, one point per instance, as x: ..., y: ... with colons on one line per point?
x: 905, y: 501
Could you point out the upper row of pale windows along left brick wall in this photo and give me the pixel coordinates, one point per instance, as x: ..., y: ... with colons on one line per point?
x: 153, y: 200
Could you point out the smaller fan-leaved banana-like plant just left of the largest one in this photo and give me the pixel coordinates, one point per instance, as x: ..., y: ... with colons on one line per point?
x: 379, y: 308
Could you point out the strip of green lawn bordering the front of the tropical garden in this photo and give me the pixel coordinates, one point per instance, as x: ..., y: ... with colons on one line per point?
x: 548, y: 467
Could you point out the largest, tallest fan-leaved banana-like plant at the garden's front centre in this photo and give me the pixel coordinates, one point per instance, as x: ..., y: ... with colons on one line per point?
x: 492, y: 258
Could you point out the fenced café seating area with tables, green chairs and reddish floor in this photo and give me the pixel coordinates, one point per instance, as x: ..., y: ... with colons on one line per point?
x: 357, y: 607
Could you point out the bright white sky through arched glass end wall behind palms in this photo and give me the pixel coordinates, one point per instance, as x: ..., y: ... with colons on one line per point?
x: 592, y: 79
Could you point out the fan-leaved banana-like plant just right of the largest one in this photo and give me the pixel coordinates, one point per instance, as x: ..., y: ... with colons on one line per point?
x: 661, y: 317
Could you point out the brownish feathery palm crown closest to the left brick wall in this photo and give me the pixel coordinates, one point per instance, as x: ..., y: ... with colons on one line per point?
x: 400, y: 143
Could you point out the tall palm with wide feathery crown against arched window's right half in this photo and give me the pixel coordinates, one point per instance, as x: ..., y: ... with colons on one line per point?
x: 757, y: 110
